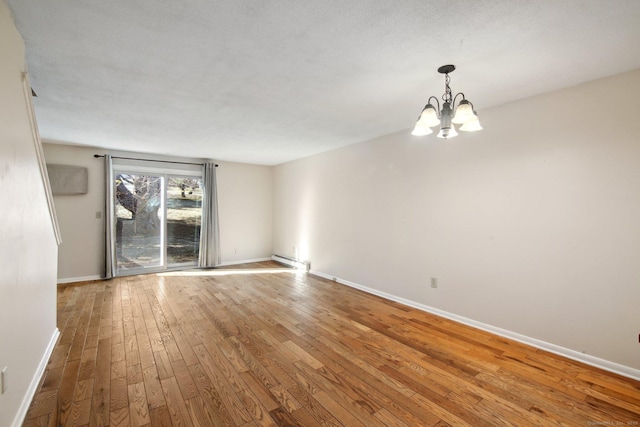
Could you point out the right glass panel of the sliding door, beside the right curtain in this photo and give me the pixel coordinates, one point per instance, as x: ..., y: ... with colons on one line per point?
x: 184, y: 210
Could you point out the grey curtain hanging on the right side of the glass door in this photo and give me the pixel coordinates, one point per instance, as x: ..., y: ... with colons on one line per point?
x: 209, y: 229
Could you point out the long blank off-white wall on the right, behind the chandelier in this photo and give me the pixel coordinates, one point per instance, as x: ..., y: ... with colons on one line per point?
x: 532, y: 225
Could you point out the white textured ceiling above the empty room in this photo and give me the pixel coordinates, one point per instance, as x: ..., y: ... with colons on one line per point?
x: 271, y: 81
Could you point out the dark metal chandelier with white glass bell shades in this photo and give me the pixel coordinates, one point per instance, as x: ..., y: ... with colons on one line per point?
x: 465, y: 115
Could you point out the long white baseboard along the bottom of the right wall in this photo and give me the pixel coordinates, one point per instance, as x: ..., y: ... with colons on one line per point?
x: 543, y: 345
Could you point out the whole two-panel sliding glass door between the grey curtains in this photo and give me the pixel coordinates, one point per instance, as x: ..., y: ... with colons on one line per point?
x: 156, y: 220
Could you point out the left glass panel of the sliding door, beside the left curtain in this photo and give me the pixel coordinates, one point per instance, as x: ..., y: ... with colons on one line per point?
x: 139, y: 212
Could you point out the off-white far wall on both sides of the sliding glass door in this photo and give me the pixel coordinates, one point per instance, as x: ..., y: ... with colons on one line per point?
x: 244, y: 198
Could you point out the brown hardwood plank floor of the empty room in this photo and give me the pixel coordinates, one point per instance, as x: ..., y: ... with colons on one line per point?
x: 286, y: 348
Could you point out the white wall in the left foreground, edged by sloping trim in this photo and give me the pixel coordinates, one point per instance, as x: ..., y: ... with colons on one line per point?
x: 28, y: 247
